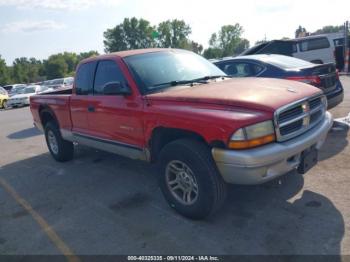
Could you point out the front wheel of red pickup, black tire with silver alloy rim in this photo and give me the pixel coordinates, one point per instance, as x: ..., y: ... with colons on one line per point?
x: 195, y: 158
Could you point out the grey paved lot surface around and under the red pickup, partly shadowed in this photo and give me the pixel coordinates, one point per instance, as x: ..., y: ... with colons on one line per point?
x: 100, y: 203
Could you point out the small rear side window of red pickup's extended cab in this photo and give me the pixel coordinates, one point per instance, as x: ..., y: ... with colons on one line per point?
x: 85, y: 78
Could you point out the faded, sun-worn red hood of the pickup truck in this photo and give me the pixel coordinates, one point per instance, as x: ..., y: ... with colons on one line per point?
x: 252, y: 93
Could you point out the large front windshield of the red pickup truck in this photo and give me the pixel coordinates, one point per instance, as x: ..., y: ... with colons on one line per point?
x: 159, y: 70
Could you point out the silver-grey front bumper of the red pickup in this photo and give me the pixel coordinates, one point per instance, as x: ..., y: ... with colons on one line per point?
x: 259, y: 165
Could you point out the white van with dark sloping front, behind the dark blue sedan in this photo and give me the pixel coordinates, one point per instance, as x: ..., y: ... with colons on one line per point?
x: 318, y: 49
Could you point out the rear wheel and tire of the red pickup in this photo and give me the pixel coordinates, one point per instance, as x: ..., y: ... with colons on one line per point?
x: 60, y: 149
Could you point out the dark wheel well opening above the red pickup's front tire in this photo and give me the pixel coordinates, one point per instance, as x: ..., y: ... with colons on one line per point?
x: 162, y: 136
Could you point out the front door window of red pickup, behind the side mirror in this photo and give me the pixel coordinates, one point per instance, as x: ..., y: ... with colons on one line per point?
x: 107, y: 72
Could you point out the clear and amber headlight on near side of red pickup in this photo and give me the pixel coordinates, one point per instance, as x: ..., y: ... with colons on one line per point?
x: 253, y: 136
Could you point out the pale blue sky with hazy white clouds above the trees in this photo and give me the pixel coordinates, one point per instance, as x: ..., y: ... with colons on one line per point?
x: 38, y: 28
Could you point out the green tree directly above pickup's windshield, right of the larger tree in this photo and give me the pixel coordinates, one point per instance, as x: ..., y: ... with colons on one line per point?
x: 174, y: 33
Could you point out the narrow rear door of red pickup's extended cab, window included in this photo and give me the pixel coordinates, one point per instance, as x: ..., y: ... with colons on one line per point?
x: 80, y: 100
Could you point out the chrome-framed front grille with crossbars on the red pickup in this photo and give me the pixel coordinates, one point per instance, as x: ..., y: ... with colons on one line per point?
x: 295, y: 119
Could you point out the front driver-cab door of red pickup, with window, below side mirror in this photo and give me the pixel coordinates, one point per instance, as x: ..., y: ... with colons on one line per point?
x: 115, y: 119
